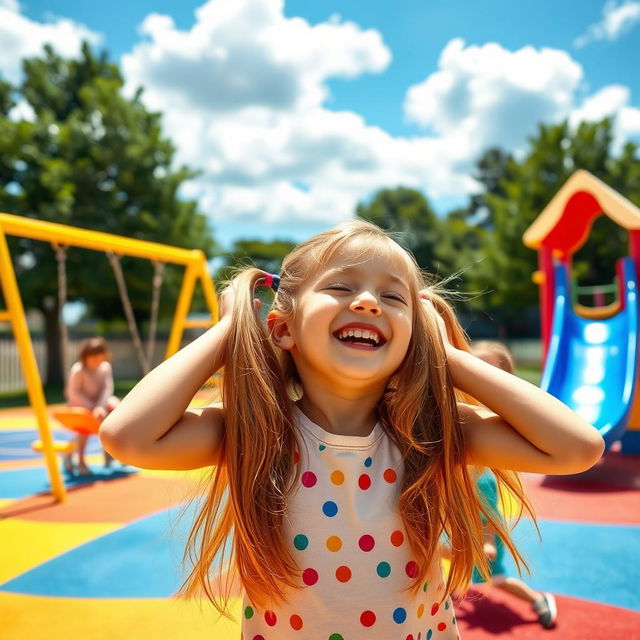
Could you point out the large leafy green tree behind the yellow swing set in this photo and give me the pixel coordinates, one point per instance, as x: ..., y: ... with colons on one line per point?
x: 95, y: 159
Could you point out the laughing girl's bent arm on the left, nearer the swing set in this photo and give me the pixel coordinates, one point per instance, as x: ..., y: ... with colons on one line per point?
x: 152, y: 427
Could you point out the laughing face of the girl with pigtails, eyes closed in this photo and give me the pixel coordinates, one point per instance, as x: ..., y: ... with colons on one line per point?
x: 353, y: 323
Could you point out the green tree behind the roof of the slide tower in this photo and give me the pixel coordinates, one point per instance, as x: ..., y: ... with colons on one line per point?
x: 522, y: 192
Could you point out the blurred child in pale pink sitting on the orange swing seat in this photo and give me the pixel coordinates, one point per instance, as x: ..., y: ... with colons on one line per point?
x: 90, y: 385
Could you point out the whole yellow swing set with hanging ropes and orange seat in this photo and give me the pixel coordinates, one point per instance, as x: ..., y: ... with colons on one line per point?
x: 61, y: 237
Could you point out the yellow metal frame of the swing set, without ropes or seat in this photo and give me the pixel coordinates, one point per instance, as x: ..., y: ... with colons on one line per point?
x: 195, y: 270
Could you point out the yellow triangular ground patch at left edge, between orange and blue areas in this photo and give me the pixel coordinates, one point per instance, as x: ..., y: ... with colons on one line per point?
x: 27, y: 543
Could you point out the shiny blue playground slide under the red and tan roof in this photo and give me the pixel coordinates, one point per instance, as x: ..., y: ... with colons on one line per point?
x: 591, y: 364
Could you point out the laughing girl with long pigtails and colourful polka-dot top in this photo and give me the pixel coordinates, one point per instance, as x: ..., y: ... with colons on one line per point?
x: 340, y: 448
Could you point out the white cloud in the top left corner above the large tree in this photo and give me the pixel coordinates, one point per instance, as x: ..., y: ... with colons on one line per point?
x: 21, y: 37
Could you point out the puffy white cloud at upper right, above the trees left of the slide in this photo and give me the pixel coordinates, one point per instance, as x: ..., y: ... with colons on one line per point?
x: 487, y: 95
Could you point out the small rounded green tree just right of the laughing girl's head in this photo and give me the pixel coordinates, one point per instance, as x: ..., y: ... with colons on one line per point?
x: 407, y: 213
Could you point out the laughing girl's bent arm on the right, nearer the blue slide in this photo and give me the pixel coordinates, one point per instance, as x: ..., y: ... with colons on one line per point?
x: 520, y: 426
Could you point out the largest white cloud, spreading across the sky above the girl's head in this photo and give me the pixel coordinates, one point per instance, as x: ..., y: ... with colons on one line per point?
x: 242, y: 94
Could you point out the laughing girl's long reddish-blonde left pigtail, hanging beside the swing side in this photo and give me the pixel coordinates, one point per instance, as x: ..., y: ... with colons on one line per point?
x: 248, y: 487
